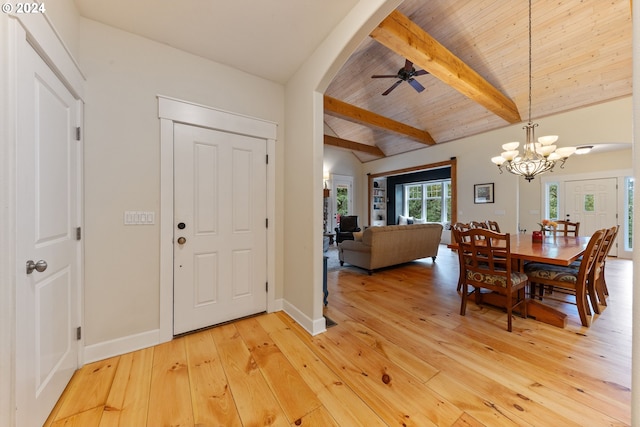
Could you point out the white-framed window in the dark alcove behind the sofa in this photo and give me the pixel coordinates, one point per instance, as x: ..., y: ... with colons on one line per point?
x: 430, y: 201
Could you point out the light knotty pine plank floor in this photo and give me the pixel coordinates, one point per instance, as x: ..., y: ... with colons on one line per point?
x: 400, y: 355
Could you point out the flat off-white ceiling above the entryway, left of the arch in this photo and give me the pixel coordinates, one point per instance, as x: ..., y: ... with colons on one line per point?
x: 266, y: 38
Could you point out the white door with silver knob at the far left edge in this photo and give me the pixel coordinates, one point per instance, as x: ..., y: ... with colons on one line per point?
x: 48, y: 212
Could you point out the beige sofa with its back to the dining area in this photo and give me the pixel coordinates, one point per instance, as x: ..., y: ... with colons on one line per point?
x: 391, y: 245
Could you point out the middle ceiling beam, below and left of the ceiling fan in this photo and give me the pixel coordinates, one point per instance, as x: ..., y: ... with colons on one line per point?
x: 352, y: 113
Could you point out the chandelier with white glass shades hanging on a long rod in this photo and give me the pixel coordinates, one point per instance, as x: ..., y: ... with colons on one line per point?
x: 538, y: 157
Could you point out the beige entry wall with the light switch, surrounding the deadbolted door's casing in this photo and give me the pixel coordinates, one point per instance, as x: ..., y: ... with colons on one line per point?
x: 122, y: 163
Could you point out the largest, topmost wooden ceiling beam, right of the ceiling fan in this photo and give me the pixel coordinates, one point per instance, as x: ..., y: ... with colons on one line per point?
x: 403, y: 36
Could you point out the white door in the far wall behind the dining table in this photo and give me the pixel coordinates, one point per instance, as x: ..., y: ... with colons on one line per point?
x: 593, y: 203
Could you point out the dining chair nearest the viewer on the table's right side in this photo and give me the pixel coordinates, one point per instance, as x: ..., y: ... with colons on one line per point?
x: 570, y: 278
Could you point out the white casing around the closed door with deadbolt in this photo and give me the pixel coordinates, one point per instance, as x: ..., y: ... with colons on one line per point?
x: 172, y: 110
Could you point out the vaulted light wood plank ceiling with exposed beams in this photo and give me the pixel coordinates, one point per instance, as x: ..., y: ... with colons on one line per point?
x: 476, y: 54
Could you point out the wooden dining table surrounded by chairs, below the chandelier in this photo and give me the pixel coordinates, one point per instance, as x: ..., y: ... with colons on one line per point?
x: 557, y: 250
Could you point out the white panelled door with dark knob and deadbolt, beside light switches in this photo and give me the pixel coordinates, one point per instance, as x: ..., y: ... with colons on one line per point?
x: 220, y: 234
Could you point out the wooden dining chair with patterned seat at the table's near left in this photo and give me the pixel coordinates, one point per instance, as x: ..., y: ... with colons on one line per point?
x: 485, y: 259
